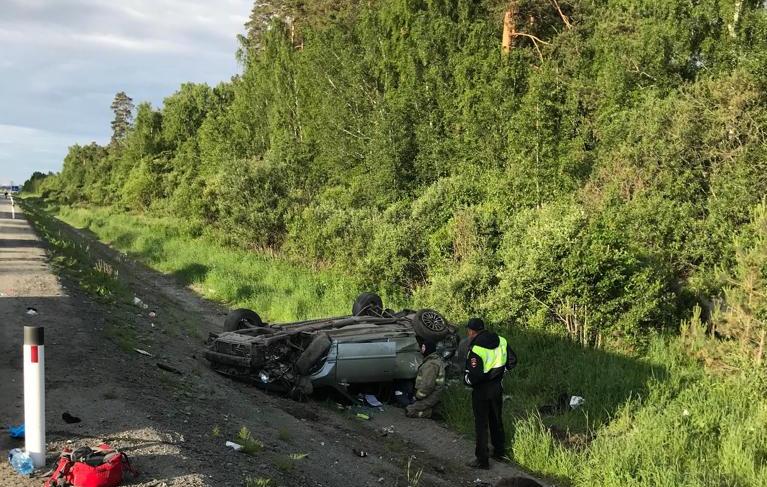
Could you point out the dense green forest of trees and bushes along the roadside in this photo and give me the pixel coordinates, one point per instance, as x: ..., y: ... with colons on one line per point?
x: 590, y: 169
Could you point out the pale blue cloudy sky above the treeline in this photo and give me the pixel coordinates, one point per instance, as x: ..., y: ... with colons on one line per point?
x: 62, y: 61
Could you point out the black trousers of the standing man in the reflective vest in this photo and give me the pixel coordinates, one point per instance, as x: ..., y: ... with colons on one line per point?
x: 488, y: 416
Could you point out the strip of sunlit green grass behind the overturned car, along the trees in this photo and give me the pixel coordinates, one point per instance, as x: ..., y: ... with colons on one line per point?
x: 278, y: 290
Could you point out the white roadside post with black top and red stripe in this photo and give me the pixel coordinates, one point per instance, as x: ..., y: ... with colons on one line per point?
x: 34, y: 394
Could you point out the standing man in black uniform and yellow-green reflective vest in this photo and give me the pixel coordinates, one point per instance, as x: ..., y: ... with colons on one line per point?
x: 488, y: 358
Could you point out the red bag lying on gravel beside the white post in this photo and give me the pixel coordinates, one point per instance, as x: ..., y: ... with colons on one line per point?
x: 104, y: 467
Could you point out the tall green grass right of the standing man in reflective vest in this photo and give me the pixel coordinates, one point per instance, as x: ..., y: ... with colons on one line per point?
x: 659, y: 421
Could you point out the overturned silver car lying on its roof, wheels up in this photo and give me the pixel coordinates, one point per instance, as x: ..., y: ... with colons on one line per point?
x: 372, y: 345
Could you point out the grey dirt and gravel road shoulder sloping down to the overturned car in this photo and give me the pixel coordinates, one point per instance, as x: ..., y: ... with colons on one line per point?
x: 174, y: 425
